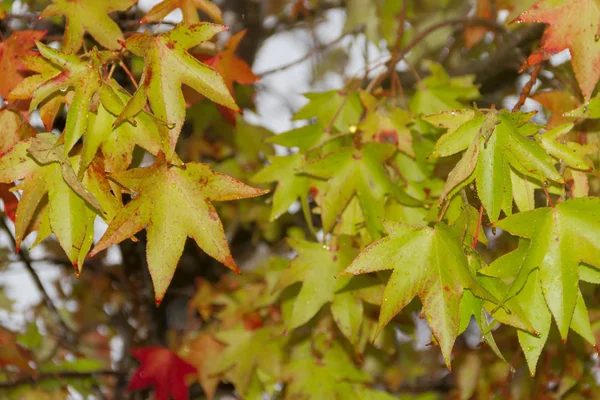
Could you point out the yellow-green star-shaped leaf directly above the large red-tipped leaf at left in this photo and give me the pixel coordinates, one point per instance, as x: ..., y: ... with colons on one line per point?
x: 167, y: 66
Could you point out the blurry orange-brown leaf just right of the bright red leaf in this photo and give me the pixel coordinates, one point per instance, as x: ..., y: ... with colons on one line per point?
x: 202, y: 352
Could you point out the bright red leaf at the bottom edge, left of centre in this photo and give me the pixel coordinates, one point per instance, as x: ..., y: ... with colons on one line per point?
x: 163, y: 370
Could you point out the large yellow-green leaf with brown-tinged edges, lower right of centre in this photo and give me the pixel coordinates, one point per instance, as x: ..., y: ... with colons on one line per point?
x: 427, y: 262
